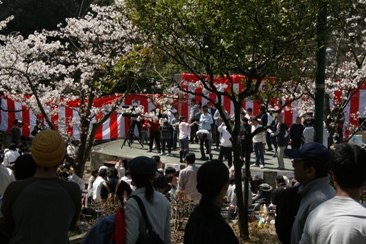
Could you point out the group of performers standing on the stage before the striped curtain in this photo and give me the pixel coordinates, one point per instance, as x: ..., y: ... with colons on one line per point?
x: 165, y: 131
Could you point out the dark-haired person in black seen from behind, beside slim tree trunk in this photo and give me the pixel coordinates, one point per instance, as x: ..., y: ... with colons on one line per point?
x: 205, y: 224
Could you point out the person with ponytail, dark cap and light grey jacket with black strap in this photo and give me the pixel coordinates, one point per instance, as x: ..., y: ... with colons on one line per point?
x: 142, y: 171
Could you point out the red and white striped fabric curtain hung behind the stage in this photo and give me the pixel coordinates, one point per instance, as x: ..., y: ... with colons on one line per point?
x: 117, y: 126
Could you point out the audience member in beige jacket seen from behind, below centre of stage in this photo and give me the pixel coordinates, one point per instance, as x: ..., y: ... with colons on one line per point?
x: 187, y: 180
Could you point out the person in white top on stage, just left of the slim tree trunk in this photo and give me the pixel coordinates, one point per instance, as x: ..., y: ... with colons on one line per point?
x: 226, y: 147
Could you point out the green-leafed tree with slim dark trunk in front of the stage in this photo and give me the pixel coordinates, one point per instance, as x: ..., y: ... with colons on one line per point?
x: 215, y: 39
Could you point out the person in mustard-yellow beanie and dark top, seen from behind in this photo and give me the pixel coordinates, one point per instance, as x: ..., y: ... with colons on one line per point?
x: 43, y: 208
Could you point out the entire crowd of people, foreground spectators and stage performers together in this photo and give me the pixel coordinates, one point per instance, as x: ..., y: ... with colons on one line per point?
x: 323, y: 206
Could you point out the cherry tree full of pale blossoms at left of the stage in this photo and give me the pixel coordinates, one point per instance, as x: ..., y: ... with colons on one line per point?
x: 85, y: 59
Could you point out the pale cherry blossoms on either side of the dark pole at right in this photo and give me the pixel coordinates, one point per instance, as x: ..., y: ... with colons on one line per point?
x: 345, y: 71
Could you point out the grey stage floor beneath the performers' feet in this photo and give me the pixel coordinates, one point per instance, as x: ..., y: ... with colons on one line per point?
x: 112, y: 150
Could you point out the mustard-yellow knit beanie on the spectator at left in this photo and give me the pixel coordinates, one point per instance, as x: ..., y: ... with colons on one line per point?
x: 48, y: 148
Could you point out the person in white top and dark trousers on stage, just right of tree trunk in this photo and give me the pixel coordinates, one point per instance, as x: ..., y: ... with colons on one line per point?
x: 259, y: 140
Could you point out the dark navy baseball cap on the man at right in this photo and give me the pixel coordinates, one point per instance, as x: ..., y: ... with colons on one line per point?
x: 314, y: 154
